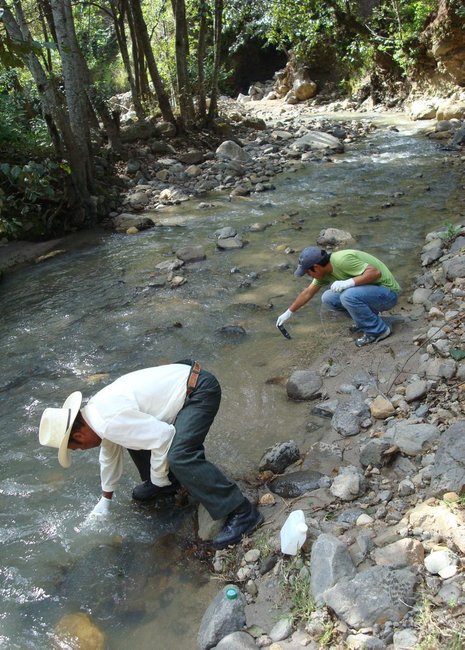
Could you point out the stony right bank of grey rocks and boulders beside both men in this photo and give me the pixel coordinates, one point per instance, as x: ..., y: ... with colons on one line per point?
x: 382, y: 566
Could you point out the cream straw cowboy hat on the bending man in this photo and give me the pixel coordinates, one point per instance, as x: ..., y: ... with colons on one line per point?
x: 55, y: 426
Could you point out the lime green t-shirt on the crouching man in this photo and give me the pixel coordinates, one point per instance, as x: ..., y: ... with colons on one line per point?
x: 350, y: 263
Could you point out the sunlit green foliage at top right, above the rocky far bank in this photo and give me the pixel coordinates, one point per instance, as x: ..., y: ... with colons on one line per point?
x: 307, y: 26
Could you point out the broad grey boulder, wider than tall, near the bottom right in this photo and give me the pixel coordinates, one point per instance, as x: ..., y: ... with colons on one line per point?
x: 372, y: 597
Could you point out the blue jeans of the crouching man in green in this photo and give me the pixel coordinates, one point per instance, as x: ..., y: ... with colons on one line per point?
x: 363, y: 304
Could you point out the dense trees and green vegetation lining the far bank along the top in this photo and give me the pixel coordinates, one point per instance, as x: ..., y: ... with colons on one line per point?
x: 62, y: 62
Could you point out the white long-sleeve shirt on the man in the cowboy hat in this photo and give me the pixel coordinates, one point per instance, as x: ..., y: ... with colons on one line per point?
x: 137, y: 411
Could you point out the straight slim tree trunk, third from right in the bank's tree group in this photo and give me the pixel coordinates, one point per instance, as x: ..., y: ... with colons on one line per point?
x: 186, y: 103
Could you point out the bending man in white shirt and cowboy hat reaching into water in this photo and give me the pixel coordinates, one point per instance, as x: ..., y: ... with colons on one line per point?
x: 161, y: 415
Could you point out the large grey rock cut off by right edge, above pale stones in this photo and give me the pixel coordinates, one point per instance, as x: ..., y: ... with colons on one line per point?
x: 448, y: 472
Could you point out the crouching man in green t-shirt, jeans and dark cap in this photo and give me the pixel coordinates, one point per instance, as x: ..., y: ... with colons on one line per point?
x: 359, y: 284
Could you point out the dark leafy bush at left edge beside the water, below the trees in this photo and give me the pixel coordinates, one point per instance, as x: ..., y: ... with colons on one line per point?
x: 28, y: 195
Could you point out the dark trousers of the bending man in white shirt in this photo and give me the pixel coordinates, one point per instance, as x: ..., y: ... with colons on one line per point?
x: 186, y: 457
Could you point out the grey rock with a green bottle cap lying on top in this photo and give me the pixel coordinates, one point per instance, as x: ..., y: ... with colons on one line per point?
x: 222, y: 617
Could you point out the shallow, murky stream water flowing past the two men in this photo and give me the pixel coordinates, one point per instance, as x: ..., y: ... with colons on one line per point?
x: 81, y: 319
